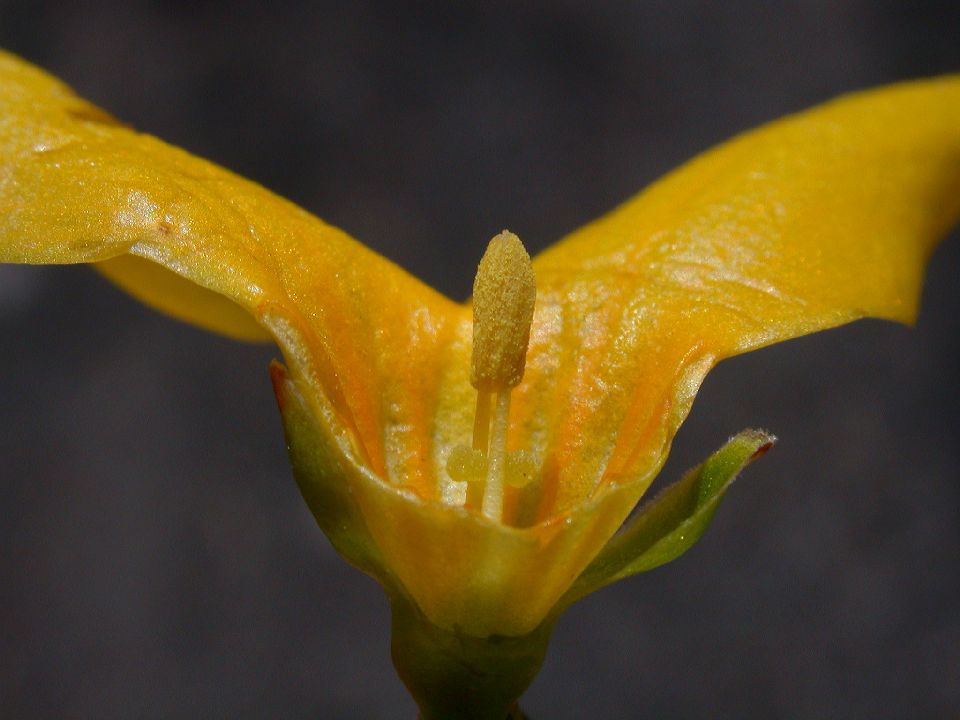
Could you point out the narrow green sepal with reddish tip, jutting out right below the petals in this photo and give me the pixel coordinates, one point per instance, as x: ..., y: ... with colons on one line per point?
x: 673, y: 521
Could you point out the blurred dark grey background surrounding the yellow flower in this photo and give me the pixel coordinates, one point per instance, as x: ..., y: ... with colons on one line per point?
x: 155, y: 557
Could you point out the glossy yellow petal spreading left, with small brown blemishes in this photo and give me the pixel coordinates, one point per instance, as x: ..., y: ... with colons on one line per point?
x: 75, y: 186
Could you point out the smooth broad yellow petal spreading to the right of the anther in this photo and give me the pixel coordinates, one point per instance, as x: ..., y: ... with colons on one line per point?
x: 806, y: 223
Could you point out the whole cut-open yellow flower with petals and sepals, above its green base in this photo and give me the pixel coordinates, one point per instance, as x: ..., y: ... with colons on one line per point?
x: 804, y: 224
